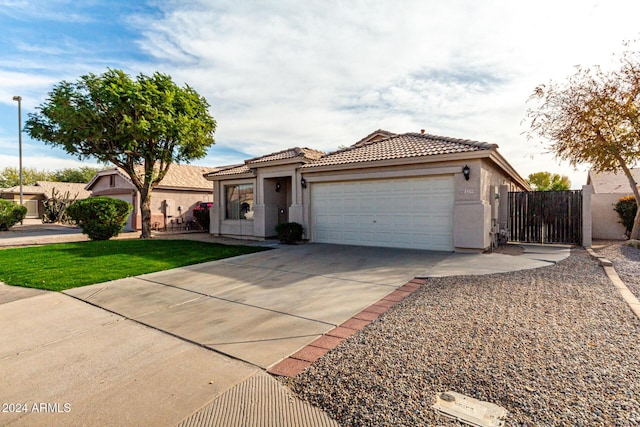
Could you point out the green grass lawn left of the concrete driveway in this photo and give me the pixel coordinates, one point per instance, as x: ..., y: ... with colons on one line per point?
x: 69, y: 265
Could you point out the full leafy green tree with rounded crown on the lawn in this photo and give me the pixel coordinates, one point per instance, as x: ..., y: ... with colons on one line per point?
x: 141, y: 125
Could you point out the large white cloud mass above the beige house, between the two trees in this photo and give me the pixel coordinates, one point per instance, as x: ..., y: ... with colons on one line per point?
x: 324, y: 73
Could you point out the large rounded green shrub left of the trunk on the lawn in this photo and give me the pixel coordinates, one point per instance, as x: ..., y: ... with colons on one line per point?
x: 100, y: 218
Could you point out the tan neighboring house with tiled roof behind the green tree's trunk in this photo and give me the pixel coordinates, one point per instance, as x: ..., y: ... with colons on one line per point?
x: 172, y: 200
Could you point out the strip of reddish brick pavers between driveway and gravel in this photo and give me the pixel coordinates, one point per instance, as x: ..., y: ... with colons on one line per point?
x: 303, y: 358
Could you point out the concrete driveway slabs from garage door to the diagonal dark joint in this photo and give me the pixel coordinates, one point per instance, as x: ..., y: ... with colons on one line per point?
x: 260, y: 308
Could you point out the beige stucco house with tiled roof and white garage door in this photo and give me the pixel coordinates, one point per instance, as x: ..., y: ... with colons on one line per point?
x: 407, y: 191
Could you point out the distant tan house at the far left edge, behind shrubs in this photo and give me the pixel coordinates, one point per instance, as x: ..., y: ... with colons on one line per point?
x: 34, y: 196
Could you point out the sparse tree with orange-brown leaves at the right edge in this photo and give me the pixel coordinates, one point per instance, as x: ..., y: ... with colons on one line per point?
x: 594, y: 118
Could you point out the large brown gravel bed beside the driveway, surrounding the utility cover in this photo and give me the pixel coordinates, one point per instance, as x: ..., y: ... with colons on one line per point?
x: 555, y: 346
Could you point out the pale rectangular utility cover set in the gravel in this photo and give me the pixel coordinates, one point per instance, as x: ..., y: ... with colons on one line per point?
x: 469, y: 410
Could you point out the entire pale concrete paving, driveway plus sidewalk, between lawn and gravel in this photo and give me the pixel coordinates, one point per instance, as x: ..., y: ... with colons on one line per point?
x: 146, y: 358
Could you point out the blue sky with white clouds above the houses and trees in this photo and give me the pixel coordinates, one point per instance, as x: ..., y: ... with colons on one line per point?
x: 317, y: 74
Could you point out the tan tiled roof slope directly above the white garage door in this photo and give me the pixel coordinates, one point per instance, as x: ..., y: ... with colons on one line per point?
x: 399, y: 147
